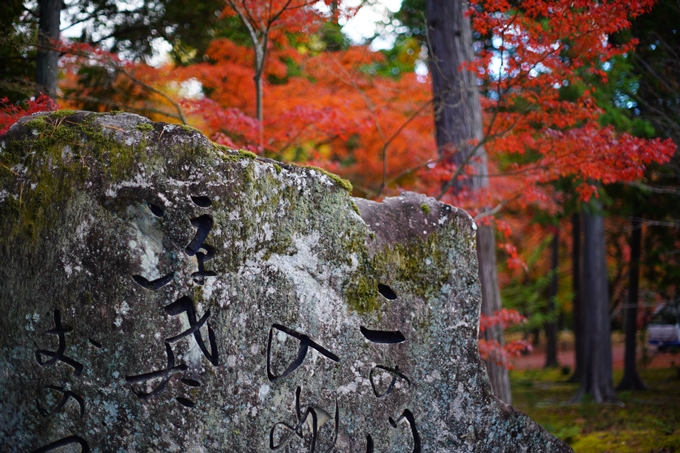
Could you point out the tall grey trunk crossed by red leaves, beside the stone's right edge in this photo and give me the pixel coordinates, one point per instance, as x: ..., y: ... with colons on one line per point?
x: 458, y: 124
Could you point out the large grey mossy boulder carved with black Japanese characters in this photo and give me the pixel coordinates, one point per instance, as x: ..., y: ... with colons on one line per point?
x: 103, y: 270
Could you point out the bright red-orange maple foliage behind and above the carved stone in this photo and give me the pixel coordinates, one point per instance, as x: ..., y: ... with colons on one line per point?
x: 538, y: 67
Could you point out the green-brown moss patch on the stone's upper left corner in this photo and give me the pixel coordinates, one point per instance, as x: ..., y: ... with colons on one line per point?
x: 57, y: 159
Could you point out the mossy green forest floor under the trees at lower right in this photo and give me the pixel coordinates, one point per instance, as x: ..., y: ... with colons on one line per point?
x: 642, y: 421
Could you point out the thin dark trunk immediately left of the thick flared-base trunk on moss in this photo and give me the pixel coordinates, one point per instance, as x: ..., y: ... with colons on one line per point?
x: 577, y: 310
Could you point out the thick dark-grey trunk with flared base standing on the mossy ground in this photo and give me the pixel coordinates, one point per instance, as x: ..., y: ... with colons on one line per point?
x: 596, y: 375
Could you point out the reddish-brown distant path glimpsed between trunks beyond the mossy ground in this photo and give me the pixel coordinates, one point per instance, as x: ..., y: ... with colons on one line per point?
x: 565, y: 357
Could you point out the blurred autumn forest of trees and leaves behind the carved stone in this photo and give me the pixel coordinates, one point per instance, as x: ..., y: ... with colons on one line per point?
x: 553, y: 123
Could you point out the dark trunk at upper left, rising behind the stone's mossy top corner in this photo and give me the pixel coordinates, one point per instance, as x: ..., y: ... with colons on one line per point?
x: 47, y: 68
